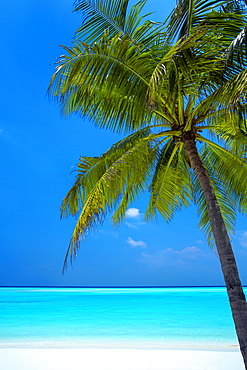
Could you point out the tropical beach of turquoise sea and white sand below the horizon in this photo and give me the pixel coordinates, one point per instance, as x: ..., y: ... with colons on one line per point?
x: 117, y: 328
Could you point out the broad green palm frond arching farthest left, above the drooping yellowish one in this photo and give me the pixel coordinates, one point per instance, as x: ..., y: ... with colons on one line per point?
x: 107, y: 82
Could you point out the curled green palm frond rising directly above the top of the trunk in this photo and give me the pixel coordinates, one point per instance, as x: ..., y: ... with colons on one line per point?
x: 186, y: 68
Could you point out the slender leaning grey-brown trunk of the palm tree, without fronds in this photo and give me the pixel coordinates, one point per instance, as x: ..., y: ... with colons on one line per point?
x: 224, y: 249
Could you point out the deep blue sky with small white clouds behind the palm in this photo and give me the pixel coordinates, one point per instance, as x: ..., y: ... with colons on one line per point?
x: 39, y: 149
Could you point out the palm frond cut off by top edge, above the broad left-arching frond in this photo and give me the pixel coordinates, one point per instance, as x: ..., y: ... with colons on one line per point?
x: 117, y: 18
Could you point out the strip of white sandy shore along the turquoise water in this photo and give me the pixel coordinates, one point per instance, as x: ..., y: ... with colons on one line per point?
x: 118, y: 359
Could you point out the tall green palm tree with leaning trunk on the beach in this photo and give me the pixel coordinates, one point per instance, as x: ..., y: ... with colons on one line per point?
x: 178, y: 90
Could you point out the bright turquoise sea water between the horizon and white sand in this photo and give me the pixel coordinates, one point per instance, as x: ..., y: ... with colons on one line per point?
x: 115, y: 317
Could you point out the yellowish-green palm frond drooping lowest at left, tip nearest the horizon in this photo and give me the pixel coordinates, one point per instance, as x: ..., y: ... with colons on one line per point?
x: 102, y: 182
